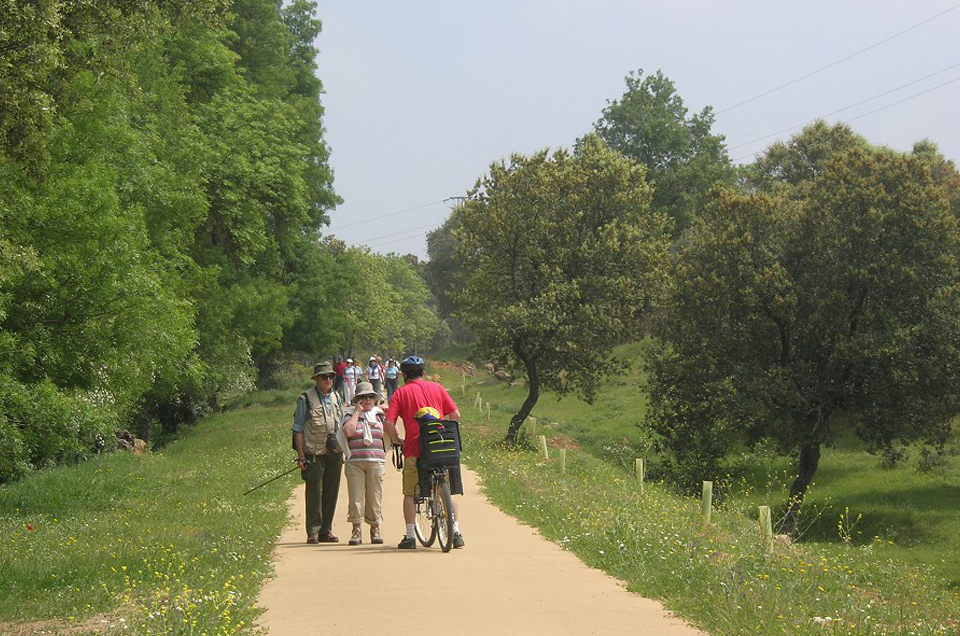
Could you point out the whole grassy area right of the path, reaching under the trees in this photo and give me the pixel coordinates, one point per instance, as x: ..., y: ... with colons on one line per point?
x: 718, y: 576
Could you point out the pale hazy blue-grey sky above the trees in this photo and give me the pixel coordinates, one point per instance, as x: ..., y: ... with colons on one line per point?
x: 422, y: 96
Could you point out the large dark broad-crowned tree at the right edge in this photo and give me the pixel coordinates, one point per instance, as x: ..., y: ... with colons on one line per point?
x: 836, y: 299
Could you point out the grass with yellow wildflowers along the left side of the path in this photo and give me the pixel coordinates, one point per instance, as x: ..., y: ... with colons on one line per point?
x: 163, y: 543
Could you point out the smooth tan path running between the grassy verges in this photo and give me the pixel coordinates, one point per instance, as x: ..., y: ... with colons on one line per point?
x: 506, y: 580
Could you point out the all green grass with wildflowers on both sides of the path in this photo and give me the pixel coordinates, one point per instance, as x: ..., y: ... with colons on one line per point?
x: 167, y: 543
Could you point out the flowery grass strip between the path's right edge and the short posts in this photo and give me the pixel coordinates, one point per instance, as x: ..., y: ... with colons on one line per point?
x: 717, y: 576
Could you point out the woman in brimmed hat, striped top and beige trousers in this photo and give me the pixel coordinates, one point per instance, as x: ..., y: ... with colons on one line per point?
x: 363, y: 436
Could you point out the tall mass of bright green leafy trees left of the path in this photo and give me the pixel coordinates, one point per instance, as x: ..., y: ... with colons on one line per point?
x: 162, y: 196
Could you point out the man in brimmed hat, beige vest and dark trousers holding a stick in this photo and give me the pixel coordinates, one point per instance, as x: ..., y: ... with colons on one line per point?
x: 315, y: 423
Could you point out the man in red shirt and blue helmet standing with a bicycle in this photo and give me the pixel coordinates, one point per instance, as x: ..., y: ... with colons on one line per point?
x: 407, y: 400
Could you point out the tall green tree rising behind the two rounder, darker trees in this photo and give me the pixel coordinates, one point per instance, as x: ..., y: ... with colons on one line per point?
x: 649, y: 124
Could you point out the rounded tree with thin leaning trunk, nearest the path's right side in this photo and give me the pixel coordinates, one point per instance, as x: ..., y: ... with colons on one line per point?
x: 558, y: 252
